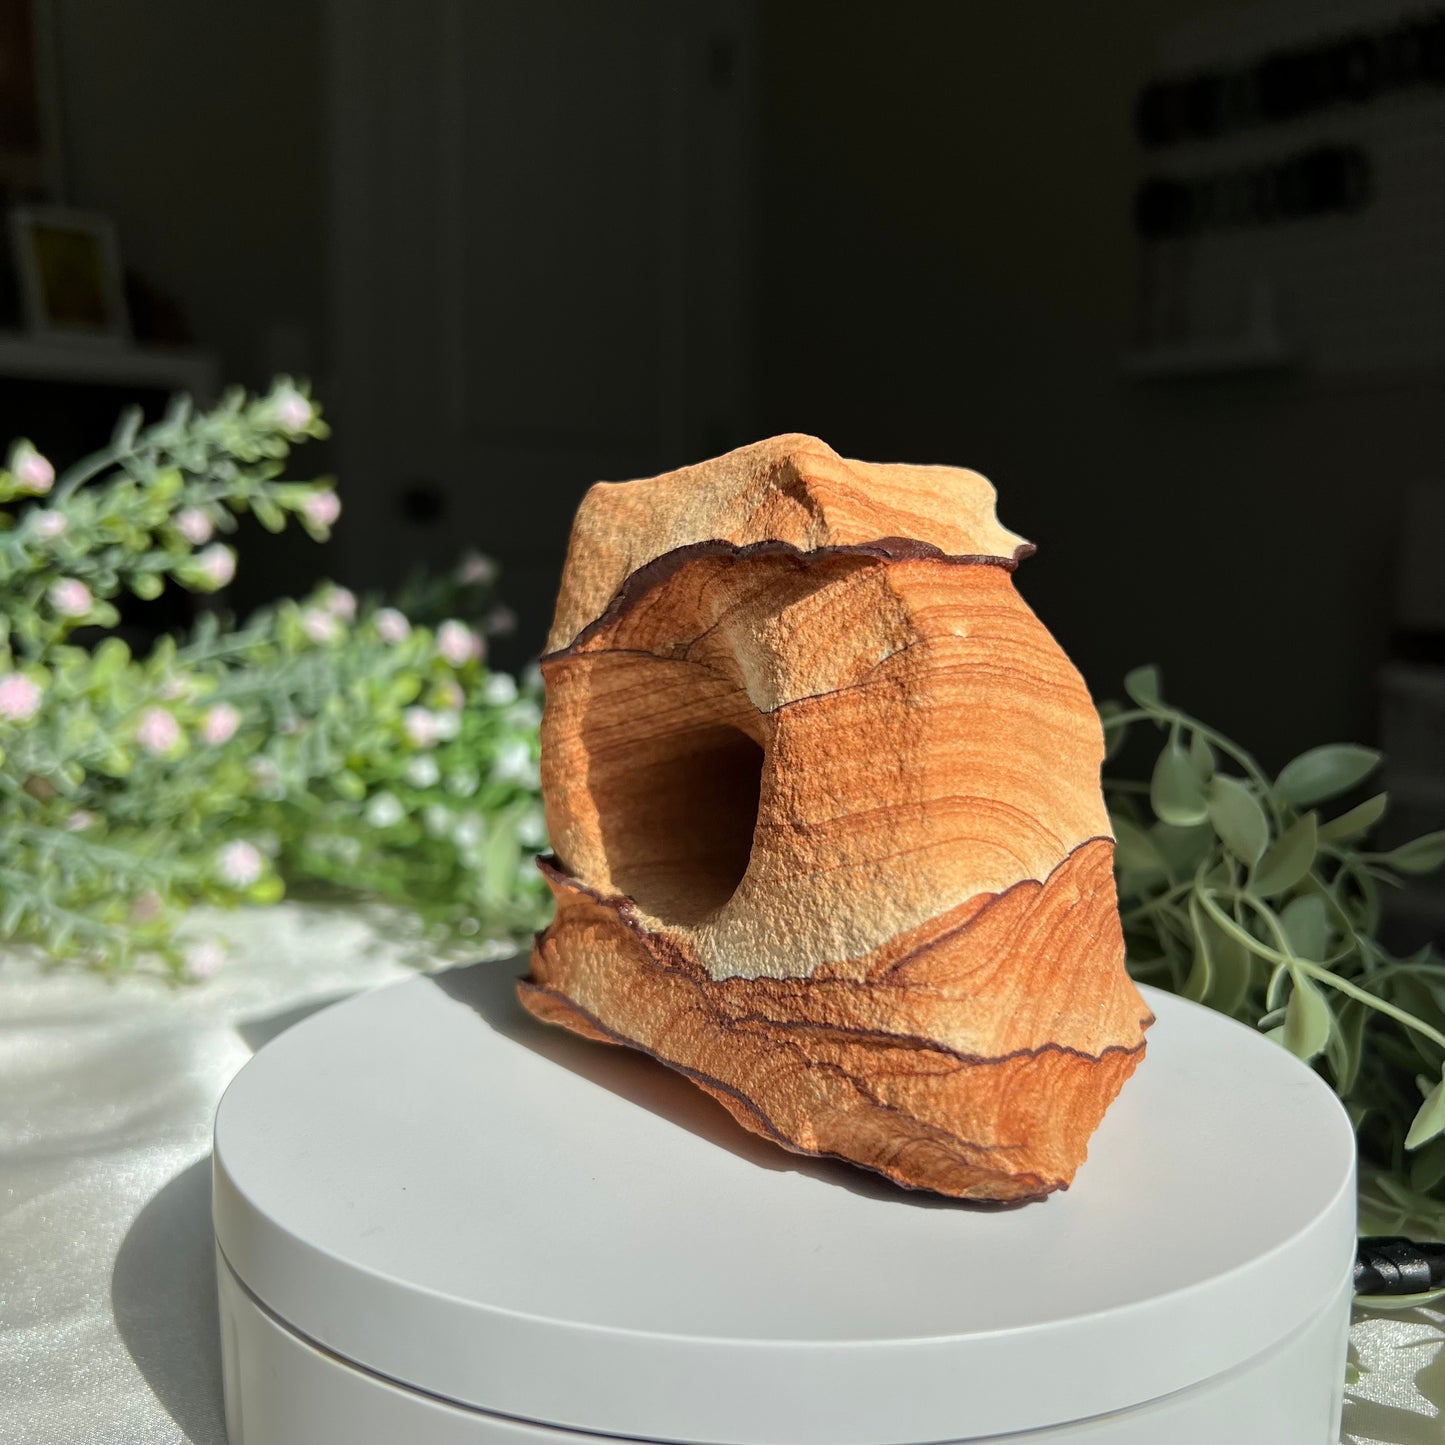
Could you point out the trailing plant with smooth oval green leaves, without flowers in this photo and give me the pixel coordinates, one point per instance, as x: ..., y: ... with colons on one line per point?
x: 1239, y: 894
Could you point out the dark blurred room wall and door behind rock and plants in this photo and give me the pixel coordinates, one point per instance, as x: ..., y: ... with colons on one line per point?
x: 1171, y: 274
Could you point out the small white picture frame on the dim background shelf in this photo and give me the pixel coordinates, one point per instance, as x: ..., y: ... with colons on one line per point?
x: 69, y: 265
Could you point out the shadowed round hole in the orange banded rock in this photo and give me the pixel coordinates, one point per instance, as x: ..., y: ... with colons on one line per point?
x: 677, y: 801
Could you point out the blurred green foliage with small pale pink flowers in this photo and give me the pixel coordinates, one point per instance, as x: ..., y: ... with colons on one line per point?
x: 324, y: 742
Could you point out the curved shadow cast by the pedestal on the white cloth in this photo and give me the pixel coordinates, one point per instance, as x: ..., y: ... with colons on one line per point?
x: 163, y: 1293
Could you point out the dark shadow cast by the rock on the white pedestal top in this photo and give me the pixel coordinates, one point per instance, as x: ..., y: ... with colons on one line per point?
x: 491, y: 992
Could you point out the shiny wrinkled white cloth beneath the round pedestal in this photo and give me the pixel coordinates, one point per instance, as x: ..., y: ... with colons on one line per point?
x: 108, y: 1093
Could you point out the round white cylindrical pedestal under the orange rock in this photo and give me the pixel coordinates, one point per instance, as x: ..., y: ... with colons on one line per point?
x: 441, y: 1222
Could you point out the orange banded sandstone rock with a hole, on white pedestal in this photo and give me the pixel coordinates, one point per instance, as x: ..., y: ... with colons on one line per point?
x: 827, y: 820
